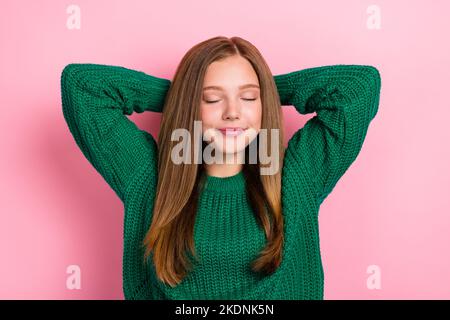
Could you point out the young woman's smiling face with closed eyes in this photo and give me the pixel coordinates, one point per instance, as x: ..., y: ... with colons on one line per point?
x: 230, y: 99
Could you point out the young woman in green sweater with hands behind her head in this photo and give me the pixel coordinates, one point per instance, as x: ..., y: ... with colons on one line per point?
x: 197, y: 230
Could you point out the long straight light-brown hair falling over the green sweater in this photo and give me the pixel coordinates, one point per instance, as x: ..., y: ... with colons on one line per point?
x: 175, y: 206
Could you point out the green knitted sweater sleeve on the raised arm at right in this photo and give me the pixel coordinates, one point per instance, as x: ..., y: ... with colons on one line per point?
x: 345, y: 99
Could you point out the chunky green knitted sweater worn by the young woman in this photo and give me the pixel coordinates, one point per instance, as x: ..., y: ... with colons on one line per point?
x: 96, y: 100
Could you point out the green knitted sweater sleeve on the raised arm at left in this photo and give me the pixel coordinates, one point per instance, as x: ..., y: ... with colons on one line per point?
x: 95, y: 101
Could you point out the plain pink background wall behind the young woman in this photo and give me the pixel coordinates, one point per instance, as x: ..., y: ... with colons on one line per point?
x: 391, y: 209
